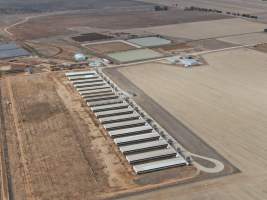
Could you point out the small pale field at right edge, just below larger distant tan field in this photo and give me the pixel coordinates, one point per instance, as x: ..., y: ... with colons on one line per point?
x: 247, y: 39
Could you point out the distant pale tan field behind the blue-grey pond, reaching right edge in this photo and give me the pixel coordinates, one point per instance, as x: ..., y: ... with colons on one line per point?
x: 208, y: 29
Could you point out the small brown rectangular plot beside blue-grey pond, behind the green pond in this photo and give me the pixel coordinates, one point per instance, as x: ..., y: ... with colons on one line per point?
x: 109, y: 47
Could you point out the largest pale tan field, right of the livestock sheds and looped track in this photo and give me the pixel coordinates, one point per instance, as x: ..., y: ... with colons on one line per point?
x: 224, y: 103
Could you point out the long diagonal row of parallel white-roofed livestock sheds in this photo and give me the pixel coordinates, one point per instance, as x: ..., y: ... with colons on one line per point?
x: 143, y: 147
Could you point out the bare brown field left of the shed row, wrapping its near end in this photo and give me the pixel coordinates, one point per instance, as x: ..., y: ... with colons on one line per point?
x: 55, y: 148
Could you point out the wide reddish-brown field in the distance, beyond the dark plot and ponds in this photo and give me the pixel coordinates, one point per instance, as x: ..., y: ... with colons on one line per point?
x: 62, y: 24
